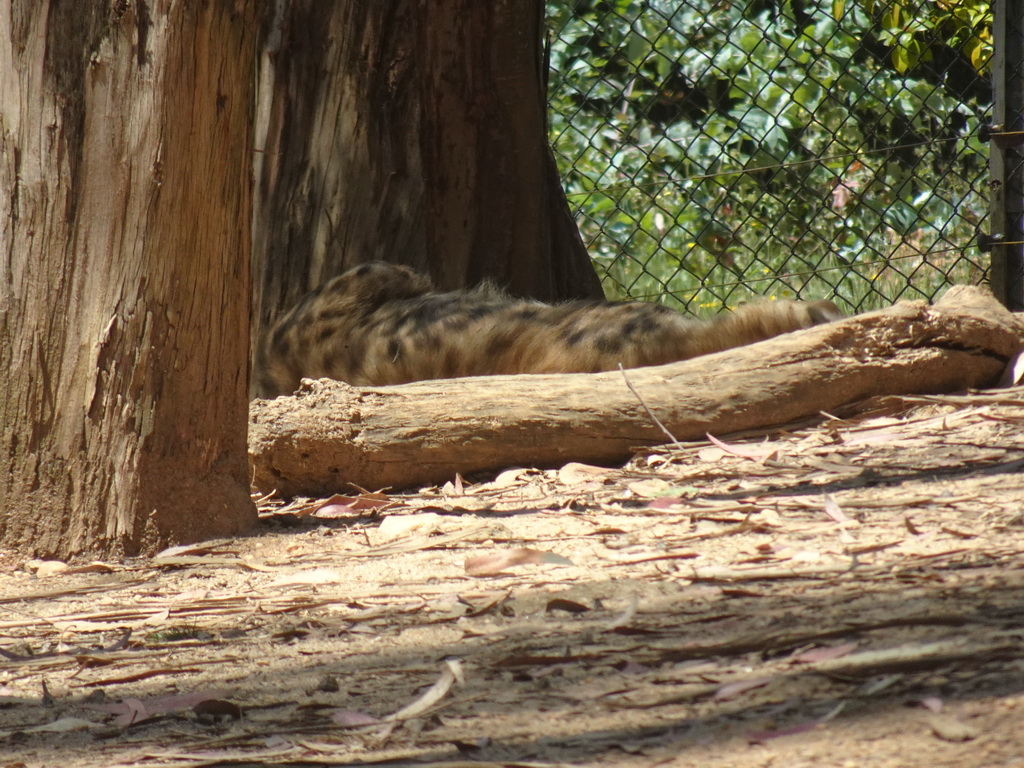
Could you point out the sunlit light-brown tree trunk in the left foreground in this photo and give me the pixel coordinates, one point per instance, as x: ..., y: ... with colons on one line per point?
x: 125, y: 208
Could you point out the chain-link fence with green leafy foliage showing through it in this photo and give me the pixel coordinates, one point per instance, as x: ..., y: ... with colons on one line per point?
x: 720, y: 150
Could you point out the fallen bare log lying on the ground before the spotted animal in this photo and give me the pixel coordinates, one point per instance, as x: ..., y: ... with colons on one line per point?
x: 330, y: 435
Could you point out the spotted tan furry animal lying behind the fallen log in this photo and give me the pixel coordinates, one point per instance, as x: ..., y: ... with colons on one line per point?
x: 385, y: 324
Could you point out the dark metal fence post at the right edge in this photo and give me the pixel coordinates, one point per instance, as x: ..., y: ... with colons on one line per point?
x: 1007, y: 155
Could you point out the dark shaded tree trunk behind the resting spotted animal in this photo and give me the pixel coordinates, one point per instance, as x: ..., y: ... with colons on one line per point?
x: 412, y: 133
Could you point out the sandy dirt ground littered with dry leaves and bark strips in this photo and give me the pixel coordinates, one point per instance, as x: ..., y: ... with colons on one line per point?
x: 846, y: 593
